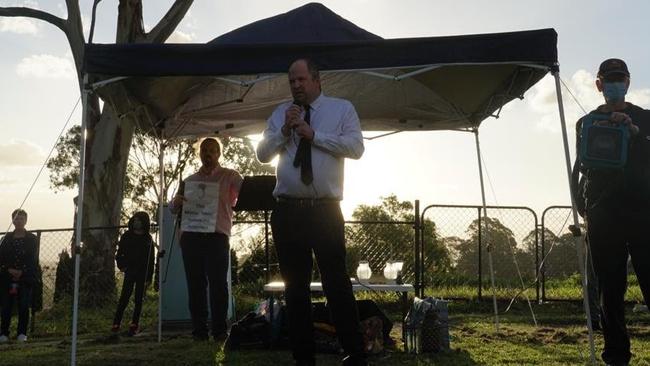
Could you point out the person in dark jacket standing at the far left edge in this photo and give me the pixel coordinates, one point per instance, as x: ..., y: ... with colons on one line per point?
x: 18, y: 263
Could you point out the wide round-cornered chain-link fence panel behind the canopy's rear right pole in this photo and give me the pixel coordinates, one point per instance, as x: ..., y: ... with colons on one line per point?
x: 468, y: 237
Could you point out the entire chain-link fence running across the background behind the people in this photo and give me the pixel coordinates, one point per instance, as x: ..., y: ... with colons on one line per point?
x: 454, y: 263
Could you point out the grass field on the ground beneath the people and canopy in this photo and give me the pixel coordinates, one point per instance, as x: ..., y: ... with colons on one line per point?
x: 559, y: 339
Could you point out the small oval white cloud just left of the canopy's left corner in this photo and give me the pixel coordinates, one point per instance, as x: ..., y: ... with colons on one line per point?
x: 46, y: 67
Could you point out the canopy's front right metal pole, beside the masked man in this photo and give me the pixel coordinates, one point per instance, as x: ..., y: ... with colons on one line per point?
x: 579, y: 240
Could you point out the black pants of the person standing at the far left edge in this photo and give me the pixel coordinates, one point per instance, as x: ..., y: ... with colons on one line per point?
x: 23, y: 300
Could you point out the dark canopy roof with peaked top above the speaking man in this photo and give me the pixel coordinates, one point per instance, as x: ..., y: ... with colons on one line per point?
x: 231, y: 84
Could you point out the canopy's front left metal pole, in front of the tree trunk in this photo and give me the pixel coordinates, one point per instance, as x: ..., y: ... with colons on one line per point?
x: 79, y: 220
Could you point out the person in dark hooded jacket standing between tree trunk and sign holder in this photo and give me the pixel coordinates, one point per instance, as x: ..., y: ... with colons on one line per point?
x: 135, y: 257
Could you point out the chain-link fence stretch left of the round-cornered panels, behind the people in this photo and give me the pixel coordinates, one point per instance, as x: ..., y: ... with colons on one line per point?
x: 253, y: 264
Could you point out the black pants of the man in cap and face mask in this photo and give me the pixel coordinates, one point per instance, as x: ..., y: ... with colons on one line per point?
x: 614, y: 233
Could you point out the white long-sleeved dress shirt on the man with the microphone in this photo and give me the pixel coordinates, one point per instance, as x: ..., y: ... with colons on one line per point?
x: 337, y: 135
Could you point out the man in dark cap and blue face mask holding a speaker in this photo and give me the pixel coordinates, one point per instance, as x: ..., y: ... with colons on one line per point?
x: 617, y: 210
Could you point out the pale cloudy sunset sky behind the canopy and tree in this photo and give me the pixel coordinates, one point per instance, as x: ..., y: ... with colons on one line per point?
x: 522, y: 150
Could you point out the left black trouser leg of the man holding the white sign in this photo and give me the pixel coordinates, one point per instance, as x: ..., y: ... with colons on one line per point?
x: 193, y: 261
